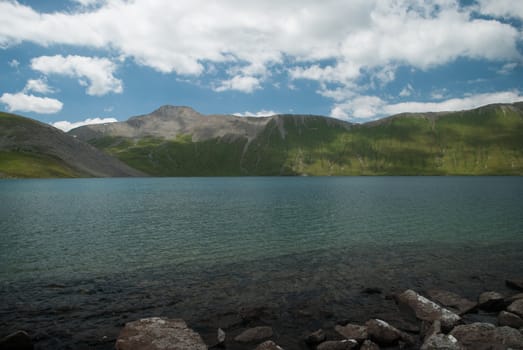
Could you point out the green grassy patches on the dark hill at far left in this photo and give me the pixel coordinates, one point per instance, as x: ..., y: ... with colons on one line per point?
x: 28, y: 162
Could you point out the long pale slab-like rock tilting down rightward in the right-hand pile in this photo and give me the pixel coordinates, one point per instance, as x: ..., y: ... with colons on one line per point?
x: 412, y: 304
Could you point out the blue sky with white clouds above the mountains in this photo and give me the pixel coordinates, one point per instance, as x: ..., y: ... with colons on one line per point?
x: 75, y: 62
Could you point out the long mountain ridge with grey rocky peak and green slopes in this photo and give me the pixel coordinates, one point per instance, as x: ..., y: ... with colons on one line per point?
x: 178, y: 141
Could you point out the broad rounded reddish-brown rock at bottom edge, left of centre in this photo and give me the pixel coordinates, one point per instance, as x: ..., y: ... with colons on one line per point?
x: 157, y: 333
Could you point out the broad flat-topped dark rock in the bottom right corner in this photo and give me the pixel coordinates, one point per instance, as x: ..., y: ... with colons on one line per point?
x: 483, y: 336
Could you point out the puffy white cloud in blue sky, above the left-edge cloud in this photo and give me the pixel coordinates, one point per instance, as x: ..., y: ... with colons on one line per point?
x: 97, y: 71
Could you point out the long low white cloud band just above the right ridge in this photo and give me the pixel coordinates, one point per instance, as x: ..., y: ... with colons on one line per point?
x: 365, y: 108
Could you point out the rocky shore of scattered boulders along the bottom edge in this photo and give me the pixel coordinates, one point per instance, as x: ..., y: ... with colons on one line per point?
x: 434, y: 319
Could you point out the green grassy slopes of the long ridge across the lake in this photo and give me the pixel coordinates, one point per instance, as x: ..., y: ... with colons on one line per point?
x: 480, y: 142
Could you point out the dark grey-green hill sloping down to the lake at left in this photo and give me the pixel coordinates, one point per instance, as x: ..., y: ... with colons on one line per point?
x: 29, y: 148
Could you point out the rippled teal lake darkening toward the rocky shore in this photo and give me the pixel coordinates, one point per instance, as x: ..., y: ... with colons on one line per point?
x: 80, y: 257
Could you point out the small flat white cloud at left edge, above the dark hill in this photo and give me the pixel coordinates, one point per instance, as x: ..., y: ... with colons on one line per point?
x: 21, y: 102
